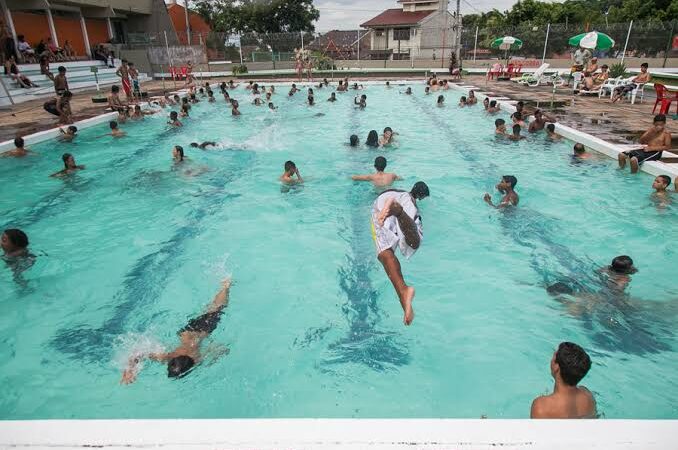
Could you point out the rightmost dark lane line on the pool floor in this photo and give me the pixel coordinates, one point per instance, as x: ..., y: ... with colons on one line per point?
x: 523, y: 225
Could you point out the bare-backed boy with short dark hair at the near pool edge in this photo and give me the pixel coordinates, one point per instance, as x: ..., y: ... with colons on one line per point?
x: 569, y: 366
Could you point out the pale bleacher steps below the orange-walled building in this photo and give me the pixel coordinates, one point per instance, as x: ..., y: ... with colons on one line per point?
x: 80, y: 78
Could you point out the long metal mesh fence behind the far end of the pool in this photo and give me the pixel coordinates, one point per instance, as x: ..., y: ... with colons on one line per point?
x: 416, y: 46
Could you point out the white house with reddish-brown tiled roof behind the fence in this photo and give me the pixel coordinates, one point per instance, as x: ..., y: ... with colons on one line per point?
x: 418, y: 29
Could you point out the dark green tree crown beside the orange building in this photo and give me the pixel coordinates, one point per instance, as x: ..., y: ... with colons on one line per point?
x: 273, y: 16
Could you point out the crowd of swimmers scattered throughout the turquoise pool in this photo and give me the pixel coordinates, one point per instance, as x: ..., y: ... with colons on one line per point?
x: 396, y: 222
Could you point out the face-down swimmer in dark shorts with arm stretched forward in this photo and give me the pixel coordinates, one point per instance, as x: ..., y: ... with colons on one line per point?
x: 183, y: 358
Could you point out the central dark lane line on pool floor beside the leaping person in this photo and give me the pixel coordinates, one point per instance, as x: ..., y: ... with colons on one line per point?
x: 363, y: 343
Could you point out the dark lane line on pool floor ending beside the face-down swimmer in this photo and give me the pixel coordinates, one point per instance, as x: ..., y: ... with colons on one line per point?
x: 147, y: 279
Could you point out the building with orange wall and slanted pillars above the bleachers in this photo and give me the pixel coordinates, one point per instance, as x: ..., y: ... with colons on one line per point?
x: 84, y: 23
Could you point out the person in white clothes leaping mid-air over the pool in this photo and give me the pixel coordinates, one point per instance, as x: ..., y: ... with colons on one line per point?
x: 396, y: 223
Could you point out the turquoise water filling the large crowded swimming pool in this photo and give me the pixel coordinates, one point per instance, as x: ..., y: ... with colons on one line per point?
x: 129, y: 249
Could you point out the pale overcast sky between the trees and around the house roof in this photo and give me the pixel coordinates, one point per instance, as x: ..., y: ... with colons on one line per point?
x: 348, y: 14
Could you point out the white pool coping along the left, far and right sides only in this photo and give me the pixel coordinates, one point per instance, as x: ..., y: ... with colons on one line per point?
x: 599, y: 145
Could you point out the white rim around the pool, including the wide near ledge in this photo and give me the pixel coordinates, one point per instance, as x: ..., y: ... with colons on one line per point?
x: 461, y: 434
